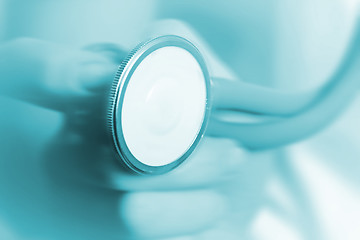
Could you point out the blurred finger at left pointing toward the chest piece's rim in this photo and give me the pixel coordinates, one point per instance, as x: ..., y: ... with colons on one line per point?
x: 52, y: 75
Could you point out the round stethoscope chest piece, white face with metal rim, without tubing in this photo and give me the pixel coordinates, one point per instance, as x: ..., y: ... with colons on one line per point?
x: 159, y: 105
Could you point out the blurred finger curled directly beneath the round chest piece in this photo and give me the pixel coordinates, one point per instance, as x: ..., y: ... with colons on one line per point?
x: 215, y: 160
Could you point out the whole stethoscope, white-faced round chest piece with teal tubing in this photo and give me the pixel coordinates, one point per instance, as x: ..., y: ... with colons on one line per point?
x: 163, y: 101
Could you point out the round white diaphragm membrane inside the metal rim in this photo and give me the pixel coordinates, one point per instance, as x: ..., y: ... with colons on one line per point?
x: 164, y: 106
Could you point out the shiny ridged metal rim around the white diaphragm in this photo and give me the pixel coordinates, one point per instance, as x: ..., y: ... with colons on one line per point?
x: 118, y: 90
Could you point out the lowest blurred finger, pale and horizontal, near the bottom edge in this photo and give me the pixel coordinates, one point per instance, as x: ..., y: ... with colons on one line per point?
x: 166, y: 214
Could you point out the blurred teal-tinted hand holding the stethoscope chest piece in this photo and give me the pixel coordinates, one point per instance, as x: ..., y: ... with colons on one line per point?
x: 59, y: 178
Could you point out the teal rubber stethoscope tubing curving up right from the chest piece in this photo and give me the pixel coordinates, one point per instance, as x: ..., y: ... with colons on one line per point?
x: 302, y: 115
